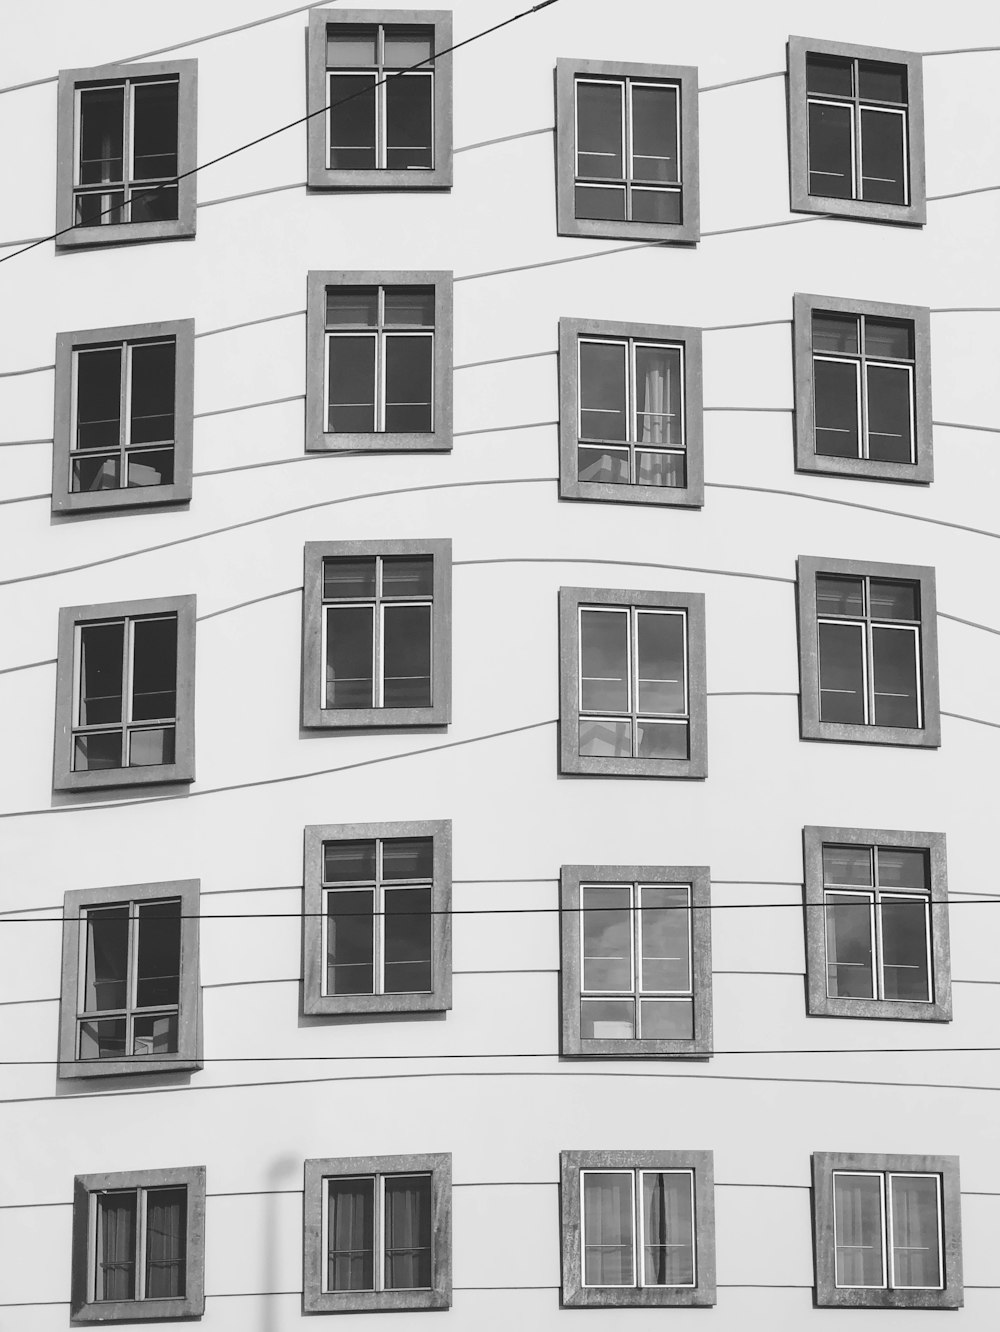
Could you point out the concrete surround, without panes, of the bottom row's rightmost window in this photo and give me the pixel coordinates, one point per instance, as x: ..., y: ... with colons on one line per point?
x: 828, y: 1294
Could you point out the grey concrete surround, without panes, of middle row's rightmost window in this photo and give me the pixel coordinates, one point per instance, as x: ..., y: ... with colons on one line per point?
x: 812, y: 728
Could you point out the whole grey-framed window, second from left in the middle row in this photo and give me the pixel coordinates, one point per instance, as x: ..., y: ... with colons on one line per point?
x: 377, y: 633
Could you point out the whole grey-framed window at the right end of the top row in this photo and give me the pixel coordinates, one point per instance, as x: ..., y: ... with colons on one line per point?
x: 857, y: 130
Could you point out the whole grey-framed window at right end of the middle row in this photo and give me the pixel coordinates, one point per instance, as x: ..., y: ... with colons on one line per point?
x: 869, y: 653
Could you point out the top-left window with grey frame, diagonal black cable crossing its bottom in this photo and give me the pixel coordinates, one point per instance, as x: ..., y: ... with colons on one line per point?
x: 126, y: 137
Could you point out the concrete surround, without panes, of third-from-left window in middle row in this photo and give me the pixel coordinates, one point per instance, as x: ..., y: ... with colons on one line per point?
x: 572, y: 601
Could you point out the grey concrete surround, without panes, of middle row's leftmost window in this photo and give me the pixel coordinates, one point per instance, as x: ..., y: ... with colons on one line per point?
x: 183, y: 768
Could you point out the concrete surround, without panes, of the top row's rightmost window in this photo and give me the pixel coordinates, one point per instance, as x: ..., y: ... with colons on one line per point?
x: 802, y: 202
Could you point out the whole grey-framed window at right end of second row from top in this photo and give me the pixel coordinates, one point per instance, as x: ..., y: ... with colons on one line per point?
x: 864, y: 390
